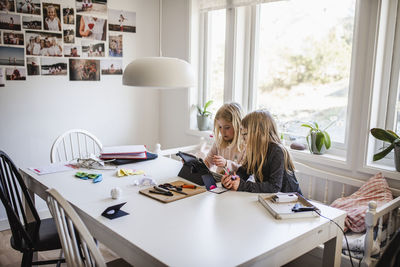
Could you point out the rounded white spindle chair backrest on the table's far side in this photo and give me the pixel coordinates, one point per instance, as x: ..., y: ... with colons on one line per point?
x: 73, y: 144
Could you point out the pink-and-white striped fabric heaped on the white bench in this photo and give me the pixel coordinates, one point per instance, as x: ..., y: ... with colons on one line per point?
x: 356, y: 205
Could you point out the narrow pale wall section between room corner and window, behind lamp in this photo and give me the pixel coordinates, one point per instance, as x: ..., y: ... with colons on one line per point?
x: 174, y: 104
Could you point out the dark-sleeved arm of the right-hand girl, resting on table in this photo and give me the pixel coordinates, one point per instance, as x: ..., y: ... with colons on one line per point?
x: 273, y: 172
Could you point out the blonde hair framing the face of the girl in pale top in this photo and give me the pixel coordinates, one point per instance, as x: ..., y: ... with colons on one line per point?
x: 230, y: 112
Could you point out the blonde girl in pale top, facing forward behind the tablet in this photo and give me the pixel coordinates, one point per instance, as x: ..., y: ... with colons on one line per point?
x: 227, y: 151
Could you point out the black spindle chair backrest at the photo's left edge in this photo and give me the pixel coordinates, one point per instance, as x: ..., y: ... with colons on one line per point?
x: 12, y: 188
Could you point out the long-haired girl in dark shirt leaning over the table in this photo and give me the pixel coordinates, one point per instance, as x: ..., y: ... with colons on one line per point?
x: 267, y: 166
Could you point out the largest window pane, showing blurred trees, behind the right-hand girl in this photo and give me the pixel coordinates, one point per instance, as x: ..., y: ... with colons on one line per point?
x: 304, y: 62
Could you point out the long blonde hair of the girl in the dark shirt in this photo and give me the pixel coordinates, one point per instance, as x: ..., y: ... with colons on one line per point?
x: 261, y: 131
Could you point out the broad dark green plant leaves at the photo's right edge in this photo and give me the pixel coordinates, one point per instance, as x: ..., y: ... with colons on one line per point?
x: 389, y: 137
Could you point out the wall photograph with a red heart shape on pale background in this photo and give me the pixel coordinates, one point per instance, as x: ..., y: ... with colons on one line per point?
x: 91, y: 28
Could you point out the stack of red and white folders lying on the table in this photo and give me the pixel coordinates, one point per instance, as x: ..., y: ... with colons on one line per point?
x: 124, y: 152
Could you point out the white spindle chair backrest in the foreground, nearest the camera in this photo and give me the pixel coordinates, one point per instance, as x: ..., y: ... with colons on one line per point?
x: 77, y: 243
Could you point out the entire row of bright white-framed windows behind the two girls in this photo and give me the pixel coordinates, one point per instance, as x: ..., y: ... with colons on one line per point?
x: 331, y: 61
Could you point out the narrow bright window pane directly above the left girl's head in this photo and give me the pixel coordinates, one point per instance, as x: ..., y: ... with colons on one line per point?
x: 217, y: 57
